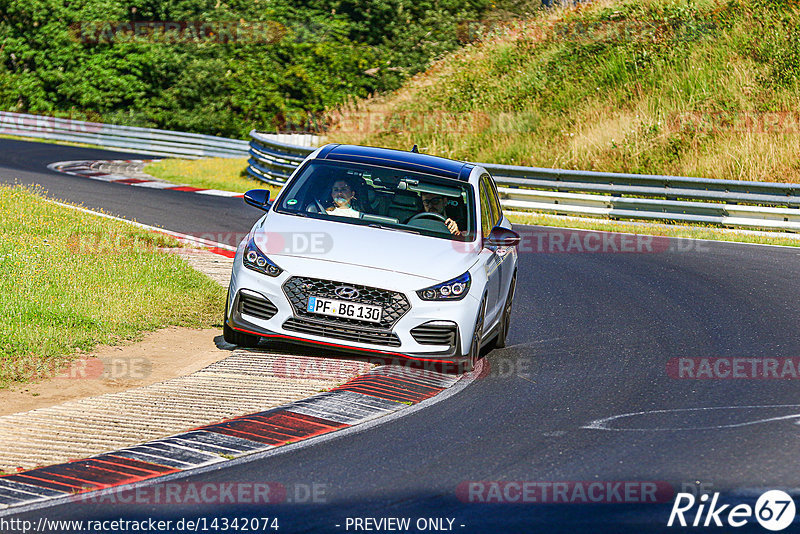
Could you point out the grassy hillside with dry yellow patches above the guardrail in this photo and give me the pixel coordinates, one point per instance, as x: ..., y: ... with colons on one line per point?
x: 700, y: 88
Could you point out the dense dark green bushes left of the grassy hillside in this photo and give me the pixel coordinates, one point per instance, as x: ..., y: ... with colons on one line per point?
x: 57, y: 59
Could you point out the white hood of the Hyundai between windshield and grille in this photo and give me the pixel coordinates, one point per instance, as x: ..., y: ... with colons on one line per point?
x: 291, y: 237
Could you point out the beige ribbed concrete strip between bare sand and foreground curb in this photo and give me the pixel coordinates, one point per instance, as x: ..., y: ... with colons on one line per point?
x: 247, y: 381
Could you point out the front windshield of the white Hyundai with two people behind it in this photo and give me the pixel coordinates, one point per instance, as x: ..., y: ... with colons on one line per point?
x: 382, y: 196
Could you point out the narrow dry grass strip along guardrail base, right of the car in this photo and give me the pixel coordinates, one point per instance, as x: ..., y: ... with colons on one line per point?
x: 683, y: 231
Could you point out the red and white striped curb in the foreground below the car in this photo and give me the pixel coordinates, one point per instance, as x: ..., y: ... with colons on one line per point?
x: 382, y: 391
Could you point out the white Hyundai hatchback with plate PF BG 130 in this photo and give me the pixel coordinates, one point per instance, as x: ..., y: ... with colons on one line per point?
x: 378, y: 251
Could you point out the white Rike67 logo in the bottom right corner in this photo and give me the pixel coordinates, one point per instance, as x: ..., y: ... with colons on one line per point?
x: 774, y: 510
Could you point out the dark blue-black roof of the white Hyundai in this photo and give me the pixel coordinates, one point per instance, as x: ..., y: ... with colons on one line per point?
x: 398, y: 159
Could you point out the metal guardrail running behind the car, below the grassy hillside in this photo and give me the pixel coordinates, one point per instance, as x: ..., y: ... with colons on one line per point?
x: 734, y: 203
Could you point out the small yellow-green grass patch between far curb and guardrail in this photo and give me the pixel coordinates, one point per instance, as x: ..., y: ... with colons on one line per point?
x: 227, y: 174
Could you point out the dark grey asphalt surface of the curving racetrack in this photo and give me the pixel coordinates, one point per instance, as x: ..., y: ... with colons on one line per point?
x: 591, y: 337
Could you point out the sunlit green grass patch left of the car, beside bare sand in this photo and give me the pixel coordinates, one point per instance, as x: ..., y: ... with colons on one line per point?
x: 72, y: 281
